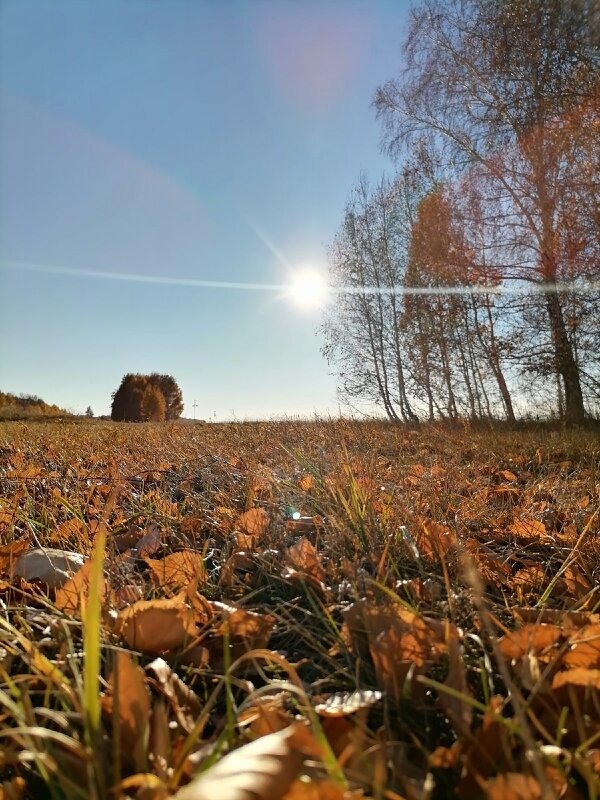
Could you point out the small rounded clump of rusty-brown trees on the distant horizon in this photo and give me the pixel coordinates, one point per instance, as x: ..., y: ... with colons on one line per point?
x: 147, y: 398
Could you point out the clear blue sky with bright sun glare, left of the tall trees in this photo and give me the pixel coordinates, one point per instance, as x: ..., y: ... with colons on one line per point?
x: 143, y: 141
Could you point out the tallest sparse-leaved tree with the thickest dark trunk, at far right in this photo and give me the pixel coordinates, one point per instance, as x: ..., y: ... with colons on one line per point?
x: 496, y: 85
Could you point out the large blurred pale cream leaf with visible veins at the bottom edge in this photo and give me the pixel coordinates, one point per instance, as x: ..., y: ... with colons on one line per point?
x: 261, y: 770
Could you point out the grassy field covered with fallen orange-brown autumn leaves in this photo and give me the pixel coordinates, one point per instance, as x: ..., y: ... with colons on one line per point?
x: 301, y: 611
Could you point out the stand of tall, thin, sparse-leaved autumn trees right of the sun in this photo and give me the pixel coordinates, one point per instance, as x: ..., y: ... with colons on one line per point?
x: 468, y: 284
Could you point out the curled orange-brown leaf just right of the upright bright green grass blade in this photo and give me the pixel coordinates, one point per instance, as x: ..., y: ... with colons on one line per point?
x: 157, y: 626
